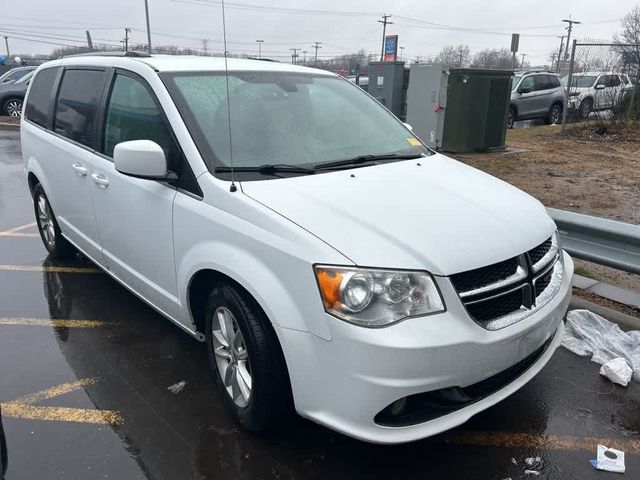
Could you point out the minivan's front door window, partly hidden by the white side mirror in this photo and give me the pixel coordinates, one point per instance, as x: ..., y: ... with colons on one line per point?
x: 132, y: 114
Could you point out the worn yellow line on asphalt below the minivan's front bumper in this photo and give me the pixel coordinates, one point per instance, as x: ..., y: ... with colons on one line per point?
x: 552, y: 442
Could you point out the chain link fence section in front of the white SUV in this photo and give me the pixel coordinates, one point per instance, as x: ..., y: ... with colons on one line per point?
x: 602, y: 86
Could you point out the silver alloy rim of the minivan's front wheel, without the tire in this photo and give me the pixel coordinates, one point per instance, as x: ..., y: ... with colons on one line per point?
x: 231, y: 356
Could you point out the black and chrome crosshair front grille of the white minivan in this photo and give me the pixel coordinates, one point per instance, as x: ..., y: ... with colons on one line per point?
x: 503, y: 293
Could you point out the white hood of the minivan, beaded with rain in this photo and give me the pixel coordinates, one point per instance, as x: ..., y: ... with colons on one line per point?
x: 433, y: 213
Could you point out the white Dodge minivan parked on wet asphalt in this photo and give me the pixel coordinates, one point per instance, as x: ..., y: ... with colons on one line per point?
x: 331, y: 262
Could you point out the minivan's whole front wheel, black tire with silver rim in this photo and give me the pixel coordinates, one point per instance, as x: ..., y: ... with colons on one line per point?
x: 246, y: 360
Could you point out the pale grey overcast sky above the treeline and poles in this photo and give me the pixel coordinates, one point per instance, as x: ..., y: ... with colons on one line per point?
x: 342, y: 26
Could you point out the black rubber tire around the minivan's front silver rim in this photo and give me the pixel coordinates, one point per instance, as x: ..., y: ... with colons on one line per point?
x: 270, y: 393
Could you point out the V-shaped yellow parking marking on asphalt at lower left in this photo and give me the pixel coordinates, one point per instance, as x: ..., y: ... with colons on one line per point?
x: 25, y: 407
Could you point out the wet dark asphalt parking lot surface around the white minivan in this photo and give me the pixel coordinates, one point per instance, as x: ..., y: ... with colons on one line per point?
x: 126, y: 355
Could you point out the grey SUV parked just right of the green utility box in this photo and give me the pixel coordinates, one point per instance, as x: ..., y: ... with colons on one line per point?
x: 536, y: 95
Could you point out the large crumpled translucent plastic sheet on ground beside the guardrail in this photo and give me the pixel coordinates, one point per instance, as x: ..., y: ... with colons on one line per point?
x: 589, y: 334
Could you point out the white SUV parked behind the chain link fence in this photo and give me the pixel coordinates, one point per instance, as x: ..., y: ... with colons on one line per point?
x: 597, y: 91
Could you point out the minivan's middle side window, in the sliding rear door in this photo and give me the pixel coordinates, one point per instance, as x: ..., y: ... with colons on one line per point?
x: 77, y: 105
